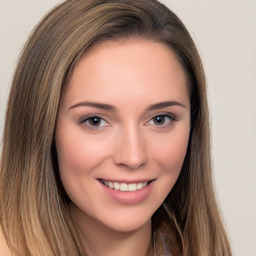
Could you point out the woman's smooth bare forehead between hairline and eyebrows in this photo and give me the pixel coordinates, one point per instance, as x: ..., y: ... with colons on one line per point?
x: 134, y: 68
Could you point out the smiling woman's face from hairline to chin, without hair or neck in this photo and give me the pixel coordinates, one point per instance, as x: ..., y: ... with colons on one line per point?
x: 122, y: 132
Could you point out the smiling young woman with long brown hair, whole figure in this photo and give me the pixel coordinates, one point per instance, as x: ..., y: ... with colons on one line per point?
x: 106, y: 140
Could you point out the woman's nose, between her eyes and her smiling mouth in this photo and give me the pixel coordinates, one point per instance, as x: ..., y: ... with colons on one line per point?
x: 130, y: 151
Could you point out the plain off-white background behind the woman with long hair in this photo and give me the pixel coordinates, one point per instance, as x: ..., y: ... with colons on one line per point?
x: 225, y: 34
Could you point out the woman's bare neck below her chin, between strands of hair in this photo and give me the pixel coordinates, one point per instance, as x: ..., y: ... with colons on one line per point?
x: 101, y: 240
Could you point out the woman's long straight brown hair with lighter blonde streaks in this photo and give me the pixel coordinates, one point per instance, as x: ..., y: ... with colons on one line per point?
x: 34, y: 208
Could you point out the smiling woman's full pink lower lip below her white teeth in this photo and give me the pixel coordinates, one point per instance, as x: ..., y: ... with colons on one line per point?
x: 133, y: 197
